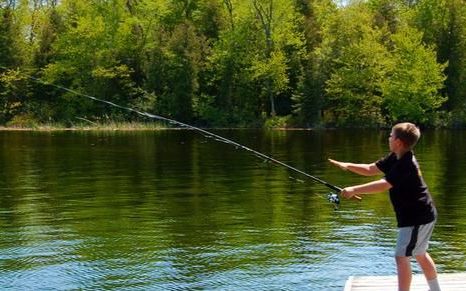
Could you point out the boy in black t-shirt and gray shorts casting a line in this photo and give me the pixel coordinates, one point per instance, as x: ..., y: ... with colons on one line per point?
x: 411, y: 200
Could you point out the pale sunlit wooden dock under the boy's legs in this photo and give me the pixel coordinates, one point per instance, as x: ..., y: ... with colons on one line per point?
x: 448, y: 282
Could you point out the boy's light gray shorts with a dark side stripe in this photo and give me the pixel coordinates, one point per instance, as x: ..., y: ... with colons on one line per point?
x: 413, y: 240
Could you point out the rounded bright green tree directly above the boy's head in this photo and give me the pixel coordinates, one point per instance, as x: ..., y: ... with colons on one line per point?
x: 411, y: 89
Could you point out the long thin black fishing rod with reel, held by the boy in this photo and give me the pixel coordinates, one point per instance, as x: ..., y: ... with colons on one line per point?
x: 331, y: 197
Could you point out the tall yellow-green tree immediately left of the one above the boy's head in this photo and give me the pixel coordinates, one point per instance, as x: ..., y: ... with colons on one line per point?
x: 359, y: 66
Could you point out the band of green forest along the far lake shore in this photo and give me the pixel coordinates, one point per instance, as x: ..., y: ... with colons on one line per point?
x: 235, y: 63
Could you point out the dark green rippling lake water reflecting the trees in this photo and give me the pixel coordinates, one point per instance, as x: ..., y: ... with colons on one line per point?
x: 172, y: 210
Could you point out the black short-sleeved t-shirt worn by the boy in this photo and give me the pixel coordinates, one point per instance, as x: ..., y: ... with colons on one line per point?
x: 409, y: 193
